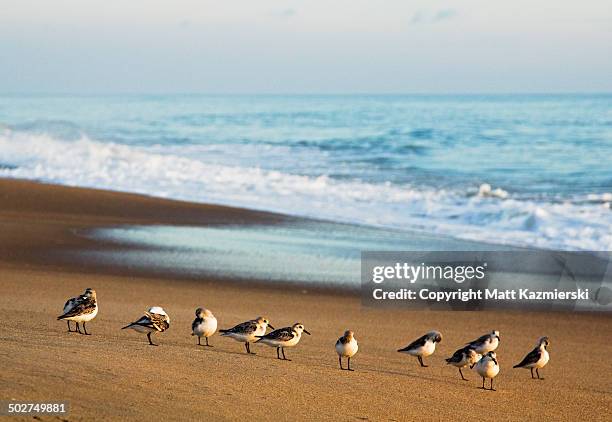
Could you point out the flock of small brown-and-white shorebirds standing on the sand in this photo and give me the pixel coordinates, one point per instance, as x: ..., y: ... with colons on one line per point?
x: 478, y: 354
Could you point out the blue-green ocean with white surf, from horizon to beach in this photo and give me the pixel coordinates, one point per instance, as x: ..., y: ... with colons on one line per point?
x: 519, y: 170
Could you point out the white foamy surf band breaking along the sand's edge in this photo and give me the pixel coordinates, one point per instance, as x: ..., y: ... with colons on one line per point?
x: 491, y: 216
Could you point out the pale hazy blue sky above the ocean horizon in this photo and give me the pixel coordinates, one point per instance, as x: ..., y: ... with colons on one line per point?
x: 305, y: 46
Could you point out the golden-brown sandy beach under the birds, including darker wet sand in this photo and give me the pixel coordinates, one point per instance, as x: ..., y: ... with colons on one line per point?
x: 114, y: 374
